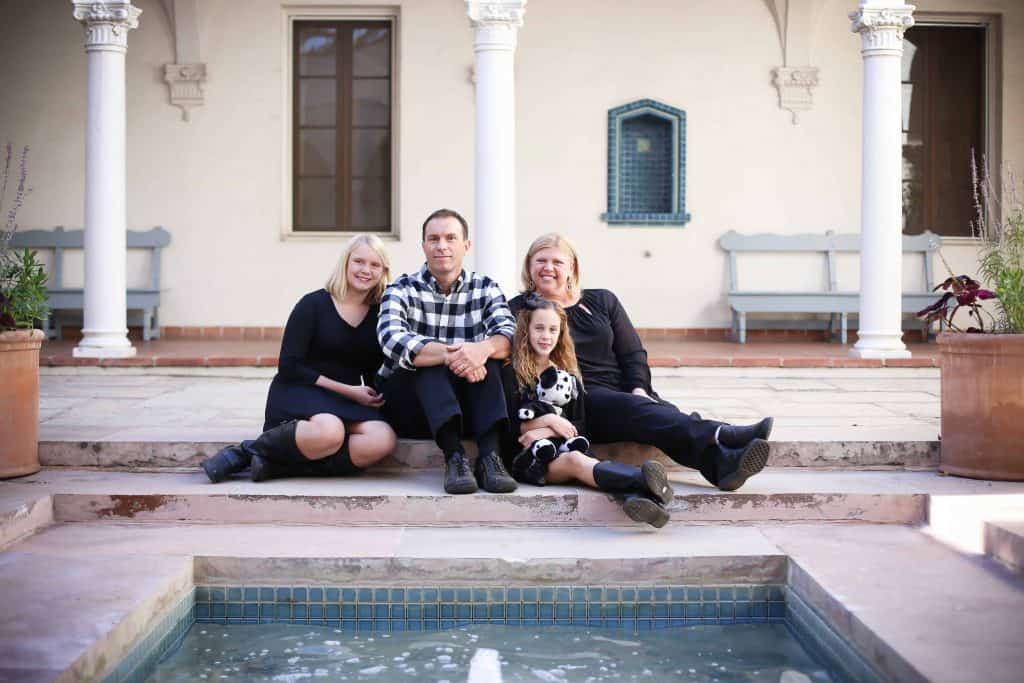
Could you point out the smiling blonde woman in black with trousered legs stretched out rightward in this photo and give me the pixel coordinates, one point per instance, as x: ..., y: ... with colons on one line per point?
x: 621, y: 404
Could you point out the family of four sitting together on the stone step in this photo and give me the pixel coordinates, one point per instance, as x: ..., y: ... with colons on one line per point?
x: 441, y: 354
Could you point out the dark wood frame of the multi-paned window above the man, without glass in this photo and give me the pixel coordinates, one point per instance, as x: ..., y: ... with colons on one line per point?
x: 345, y: 80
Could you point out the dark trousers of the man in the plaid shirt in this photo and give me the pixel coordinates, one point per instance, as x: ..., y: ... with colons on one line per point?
x: 419, y: 403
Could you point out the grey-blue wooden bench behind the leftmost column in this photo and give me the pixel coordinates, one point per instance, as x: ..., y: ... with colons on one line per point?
x: 146, y: 302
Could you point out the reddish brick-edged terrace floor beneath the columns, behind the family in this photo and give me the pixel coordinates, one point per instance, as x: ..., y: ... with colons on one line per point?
x: 694, y: 352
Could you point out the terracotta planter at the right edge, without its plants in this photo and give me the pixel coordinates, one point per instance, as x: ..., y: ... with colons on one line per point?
x: 984, y: 406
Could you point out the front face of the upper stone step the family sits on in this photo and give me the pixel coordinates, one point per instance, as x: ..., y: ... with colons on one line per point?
x: 422, y: 454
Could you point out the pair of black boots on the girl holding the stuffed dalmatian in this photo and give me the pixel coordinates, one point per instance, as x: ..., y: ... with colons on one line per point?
x: 647, y: 490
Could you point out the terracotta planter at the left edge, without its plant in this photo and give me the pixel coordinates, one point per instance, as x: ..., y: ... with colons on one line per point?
x: 20, y: 403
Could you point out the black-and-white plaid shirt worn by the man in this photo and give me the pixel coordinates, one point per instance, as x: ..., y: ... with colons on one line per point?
x: 414, y: 313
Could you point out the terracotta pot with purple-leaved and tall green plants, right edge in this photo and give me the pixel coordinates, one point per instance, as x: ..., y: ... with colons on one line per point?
x: 983, y: 366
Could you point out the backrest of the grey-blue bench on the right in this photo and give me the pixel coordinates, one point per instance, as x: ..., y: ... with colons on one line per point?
x: 829, y: 244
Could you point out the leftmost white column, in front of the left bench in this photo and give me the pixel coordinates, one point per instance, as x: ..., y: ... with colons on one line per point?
x: 105, y: 332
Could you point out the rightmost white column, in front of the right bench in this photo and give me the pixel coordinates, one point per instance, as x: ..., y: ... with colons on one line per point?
x: 881, y: 25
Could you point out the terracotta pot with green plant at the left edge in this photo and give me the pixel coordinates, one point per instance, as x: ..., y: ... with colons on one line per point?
x: 23, y: 303
